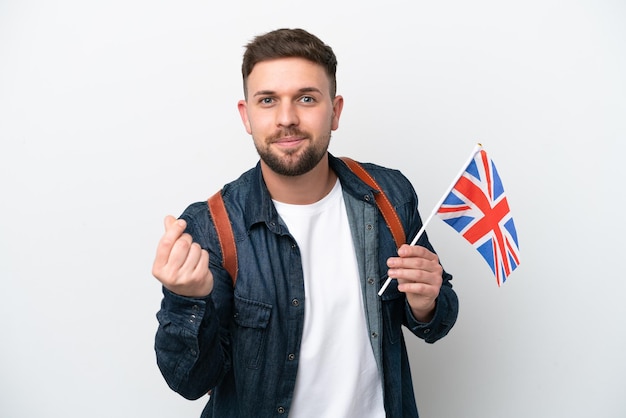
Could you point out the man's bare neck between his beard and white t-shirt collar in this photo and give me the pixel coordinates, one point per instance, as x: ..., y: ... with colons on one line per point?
x: 300, y: 190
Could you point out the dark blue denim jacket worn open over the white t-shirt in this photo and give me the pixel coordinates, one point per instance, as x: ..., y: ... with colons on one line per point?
x: 242, y: 344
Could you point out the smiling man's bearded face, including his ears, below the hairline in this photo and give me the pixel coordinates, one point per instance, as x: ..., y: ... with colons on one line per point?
x: 290, y: 114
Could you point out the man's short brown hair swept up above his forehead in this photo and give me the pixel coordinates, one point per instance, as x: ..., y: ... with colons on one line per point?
x: 284, y: 43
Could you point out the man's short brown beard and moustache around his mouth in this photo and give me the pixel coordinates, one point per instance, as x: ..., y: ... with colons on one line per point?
x: 294, y: 162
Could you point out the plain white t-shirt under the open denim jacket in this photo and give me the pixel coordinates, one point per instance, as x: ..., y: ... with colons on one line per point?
x: 337, y: 373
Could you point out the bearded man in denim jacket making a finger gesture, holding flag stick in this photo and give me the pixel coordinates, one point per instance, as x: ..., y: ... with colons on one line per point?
x: 303, y: 332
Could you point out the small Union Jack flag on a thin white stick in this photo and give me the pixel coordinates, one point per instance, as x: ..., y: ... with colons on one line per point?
x: 478, y: 209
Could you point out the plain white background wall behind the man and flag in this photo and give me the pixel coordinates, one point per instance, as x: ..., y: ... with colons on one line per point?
x: 114, y: 114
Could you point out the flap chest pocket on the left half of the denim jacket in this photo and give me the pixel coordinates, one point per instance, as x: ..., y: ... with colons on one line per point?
x: 251, y: 319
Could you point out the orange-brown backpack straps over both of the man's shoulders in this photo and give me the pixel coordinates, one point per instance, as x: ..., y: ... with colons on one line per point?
x: 227, y: 239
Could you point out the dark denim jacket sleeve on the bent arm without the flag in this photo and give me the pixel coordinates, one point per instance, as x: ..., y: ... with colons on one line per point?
x: 192, y: 341
